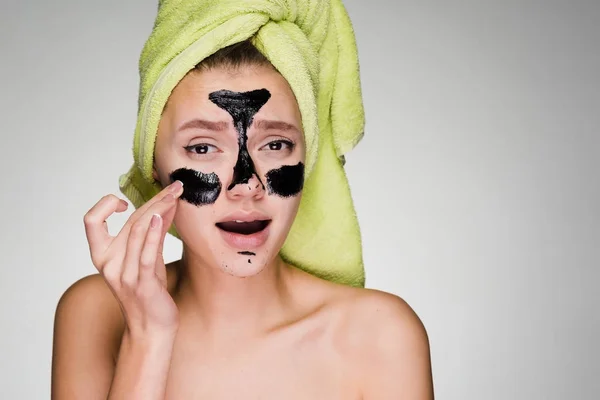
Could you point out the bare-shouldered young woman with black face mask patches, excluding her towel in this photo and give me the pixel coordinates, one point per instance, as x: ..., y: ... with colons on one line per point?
x: 231, y: 319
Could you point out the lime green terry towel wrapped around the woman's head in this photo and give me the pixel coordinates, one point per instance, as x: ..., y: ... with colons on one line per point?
x: 311, y: 43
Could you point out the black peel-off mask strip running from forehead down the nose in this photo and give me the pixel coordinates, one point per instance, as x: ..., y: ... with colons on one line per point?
x: 242, y: 106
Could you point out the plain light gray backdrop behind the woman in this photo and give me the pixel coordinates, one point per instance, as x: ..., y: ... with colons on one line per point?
x: 476, y: 184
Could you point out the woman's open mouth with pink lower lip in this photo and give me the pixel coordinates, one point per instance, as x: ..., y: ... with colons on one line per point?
x: 244, y: 234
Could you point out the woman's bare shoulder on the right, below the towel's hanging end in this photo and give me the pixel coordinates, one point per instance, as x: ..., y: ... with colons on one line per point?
x: 385, y: 341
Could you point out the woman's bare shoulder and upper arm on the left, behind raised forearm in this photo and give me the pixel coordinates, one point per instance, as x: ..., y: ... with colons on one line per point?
x: 88, y: 327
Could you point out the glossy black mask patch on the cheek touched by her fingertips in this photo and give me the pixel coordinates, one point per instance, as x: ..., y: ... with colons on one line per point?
x: 198, y: 188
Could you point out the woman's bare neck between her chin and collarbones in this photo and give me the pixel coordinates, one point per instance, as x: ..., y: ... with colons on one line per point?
x: 215, y: 302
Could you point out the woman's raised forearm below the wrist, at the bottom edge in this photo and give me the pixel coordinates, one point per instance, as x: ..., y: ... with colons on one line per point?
x: 142, y: 368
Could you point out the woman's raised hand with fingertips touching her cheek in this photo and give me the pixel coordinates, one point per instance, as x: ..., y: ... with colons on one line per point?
x: 132, y: 263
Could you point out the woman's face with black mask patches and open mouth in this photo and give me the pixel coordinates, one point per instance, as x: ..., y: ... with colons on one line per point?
x: 234, y: 138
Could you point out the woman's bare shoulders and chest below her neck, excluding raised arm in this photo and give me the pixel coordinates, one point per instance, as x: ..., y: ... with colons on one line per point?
x: 343, y: 343
